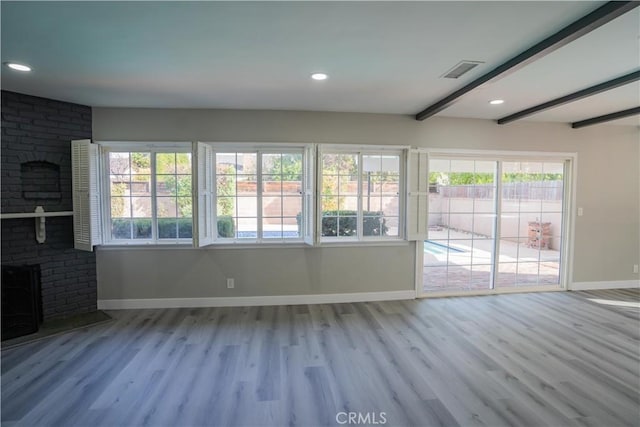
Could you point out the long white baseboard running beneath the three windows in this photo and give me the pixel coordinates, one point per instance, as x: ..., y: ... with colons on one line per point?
x: 121, y: 304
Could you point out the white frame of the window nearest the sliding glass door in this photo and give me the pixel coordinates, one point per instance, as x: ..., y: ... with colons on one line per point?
x: 361, y: 150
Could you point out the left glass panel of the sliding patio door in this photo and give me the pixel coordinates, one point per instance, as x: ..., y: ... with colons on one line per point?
x: 462, y: 211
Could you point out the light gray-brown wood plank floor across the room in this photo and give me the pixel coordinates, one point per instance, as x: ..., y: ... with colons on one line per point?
x: 544, y: 359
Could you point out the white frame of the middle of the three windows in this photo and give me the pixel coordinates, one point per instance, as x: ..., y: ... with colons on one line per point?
x: 307, y: 192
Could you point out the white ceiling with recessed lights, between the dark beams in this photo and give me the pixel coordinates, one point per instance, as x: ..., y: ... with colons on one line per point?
x: 382, y: 57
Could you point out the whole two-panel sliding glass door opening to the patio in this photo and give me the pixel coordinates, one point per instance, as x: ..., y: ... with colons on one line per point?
x: 493, y: 224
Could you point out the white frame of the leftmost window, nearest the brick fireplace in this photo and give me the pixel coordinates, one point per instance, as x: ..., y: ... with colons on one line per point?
x: 152, y: 148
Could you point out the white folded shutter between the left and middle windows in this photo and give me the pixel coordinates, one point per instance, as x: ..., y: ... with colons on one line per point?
x: 206, y: 230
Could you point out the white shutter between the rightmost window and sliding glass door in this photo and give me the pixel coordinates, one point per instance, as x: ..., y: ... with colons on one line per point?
x: 417, y: 195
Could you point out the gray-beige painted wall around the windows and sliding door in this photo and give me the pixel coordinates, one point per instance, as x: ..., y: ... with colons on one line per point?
x: 607, y: 240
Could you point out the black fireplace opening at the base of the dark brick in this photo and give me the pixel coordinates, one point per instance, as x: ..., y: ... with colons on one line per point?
x: 21, y: 300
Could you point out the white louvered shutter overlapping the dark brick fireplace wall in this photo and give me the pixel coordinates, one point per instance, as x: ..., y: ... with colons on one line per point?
x: 87, y: 221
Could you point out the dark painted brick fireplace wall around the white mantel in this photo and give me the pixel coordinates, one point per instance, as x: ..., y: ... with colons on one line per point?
x: 36, y: 171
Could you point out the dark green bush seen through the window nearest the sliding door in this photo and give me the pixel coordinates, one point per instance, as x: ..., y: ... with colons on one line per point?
x: 344, y: 223
